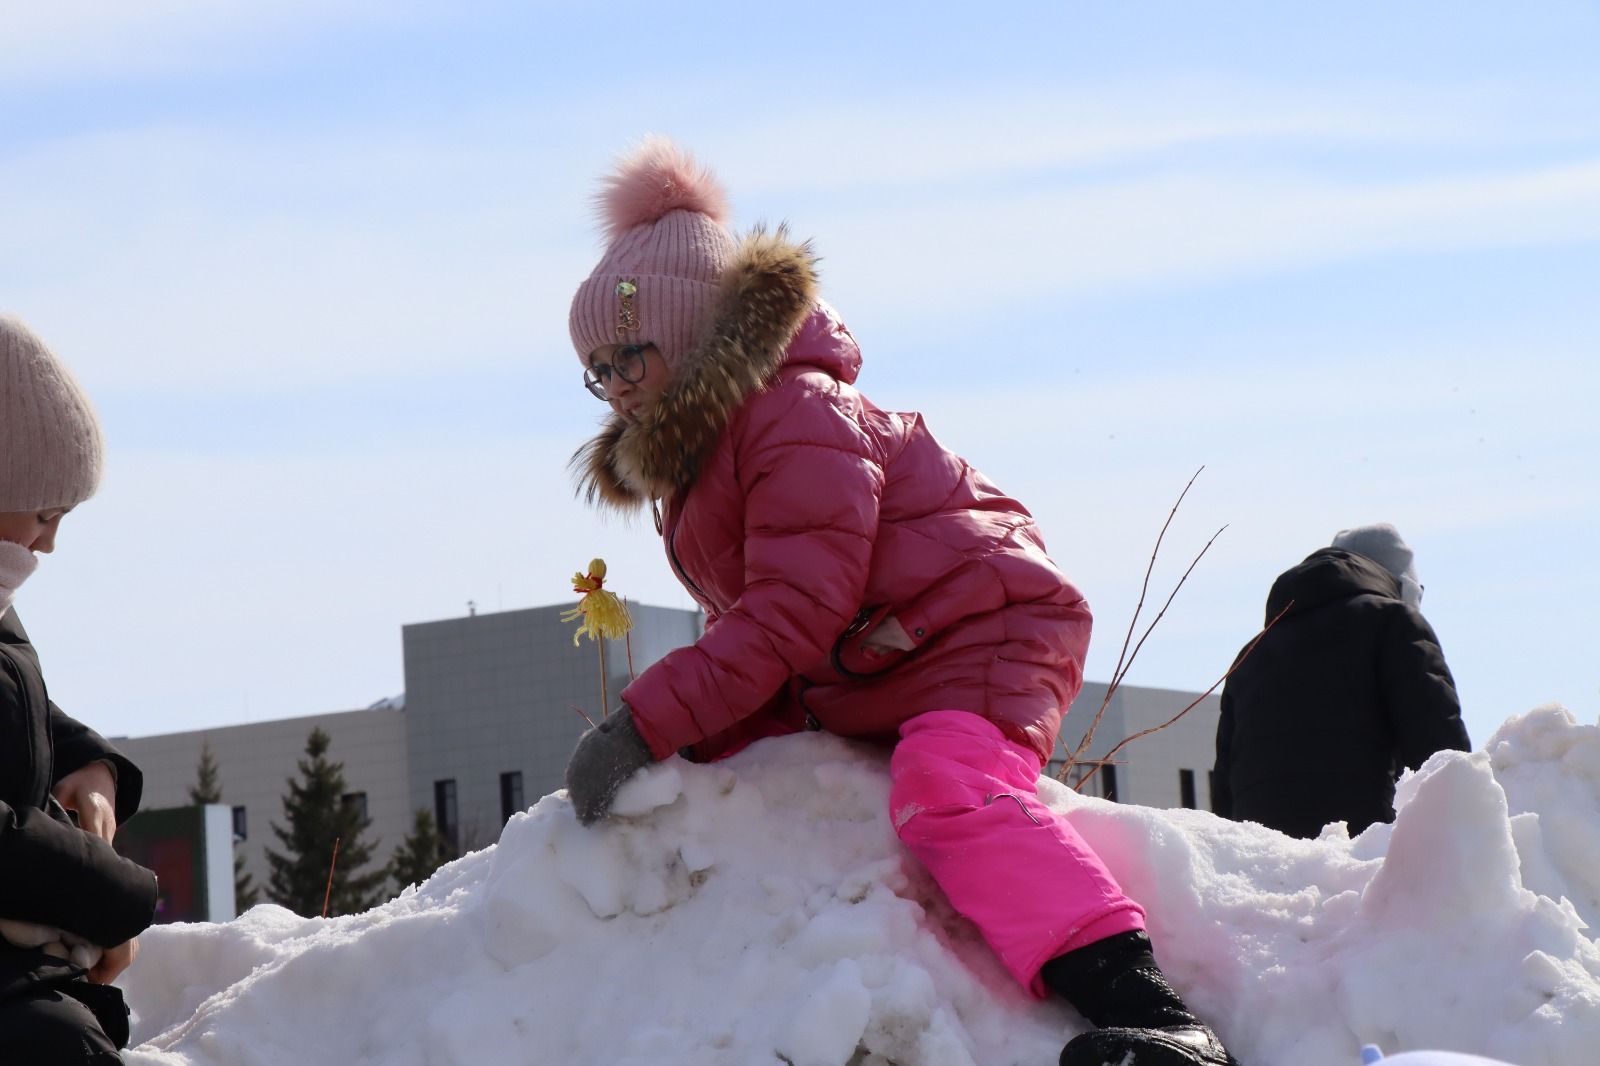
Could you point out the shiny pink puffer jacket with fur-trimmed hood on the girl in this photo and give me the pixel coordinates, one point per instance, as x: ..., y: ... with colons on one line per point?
x: 801, y: 516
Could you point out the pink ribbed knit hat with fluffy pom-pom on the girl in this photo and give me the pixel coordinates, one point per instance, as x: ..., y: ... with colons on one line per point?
x: 666, y: 223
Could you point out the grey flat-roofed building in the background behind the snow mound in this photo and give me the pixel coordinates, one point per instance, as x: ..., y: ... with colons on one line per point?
x: 495, y: 703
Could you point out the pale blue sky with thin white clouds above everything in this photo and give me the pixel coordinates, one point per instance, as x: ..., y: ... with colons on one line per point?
x: 313, y: 262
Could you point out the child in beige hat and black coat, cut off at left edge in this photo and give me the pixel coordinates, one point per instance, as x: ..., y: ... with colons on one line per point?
x: 71, y: 908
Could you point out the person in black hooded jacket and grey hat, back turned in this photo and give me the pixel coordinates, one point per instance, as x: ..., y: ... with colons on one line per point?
x: 1346, y: 691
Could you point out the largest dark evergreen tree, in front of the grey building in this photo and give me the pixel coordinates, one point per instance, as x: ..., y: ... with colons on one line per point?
x: 318, y: 816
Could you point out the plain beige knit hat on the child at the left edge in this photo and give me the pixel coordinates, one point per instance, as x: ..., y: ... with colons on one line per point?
x: 50, y: 441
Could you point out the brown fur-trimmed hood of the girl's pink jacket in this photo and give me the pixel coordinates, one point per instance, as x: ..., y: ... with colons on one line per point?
x: 767, y: 316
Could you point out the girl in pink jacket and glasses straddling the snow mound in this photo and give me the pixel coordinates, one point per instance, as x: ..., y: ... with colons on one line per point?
x: 857, y: 579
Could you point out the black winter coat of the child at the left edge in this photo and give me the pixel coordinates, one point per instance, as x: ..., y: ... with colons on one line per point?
x: 54, y: 873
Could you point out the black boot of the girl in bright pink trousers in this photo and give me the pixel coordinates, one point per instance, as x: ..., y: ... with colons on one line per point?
x: 1140, y: 1020
